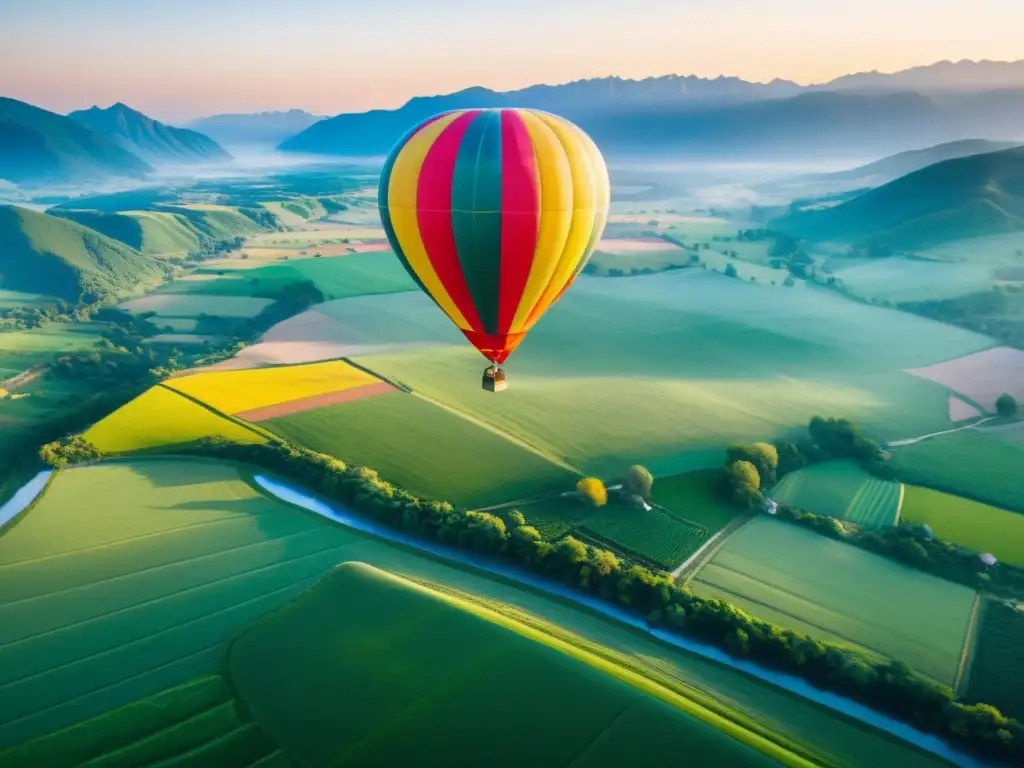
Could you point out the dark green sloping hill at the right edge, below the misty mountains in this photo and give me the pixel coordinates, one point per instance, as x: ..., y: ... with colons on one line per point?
x: 957, y: 199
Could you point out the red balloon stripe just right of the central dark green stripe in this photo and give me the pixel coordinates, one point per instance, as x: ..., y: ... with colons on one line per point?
x: 521, y: 216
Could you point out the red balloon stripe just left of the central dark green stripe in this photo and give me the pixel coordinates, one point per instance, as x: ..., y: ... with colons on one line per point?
x: 434, y: 204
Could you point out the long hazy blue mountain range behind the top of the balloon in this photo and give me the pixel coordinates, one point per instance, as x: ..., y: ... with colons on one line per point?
x: 639, y: 120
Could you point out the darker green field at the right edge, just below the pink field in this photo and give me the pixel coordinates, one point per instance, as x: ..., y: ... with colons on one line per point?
x: 971, y: 462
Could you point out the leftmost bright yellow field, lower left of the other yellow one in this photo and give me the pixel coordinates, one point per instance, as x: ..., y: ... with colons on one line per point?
x: 161, y: 417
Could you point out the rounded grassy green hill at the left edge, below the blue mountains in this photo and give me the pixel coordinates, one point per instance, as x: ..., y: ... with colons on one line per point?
x: 52, y: 257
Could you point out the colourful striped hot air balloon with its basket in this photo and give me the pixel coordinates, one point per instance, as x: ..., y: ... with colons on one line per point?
x: 494, y: 214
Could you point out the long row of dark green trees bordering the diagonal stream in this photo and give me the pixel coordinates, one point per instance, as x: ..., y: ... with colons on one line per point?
x: 890, y: 687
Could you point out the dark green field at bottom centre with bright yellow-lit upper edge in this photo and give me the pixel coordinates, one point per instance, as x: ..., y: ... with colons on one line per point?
x: 398, y: 688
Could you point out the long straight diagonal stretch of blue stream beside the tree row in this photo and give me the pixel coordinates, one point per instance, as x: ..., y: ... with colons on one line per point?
x: 791, y: 684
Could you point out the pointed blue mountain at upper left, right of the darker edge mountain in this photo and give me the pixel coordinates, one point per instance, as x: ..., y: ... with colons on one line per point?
x: 148, y: 138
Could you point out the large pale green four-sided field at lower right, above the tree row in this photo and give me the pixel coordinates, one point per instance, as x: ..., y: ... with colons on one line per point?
x: 833, y: 591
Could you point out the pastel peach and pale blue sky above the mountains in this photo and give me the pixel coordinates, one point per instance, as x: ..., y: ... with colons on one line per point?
x: 182, y: 59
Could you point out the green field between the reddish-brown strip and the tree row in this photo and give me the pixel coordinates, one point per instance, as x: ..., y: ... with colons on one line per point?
x: 425, y: 449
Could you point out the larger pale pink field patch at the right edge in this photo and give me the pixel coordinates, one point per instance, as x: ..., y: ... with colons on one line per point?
x: 983, y: 376
